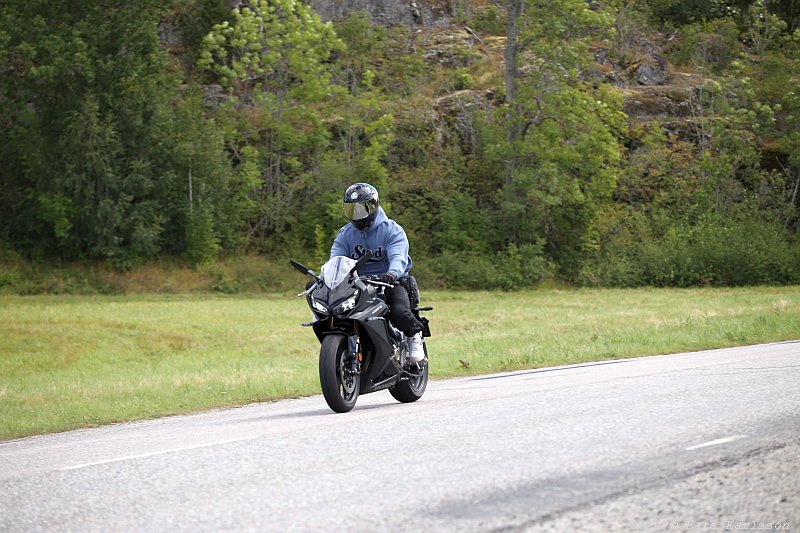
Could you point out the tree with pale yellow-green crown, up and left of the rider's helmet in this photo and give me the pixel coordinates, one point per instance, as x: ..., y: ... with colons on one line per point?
x: 274, y: 59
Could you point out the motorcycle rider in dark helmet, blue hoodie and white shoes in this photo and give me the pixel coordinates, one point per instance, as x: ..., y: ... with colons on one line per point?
x: 371, y: 230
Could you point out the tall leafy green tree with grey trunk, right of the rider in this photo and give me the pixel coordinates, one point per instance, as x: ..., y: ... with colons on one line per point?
x: 560, y: 151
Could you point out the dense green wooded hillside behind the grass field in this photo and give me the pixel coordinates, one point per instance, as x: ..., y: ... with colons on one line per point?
x: 131, y: 130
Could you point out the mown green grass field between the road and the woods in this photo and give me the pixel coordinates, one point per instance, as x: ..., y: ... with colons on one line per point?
x: 75, y: 361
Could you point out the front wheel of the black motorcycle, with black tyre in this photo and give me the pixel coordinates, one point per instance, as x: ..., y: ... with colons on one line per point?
x: 339, y: 387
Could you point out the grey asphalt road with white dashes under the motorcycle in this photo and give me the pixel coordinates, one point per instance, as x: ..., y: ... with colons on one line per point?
x: 703, y: 441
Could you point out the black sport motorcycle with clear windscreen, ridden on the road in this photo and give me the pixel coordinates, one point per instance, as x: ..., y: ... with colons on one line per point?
x: 361, y: 350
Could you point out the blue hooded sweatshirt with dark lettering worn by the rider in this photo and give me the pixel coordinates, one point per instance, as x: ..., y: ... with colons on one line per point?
x: 386, y: 240
